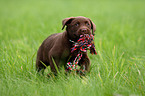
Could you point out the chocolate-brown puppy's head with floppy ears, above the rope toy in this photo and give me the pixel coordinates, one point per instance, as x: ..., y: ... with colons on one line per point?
x: 77, y: 26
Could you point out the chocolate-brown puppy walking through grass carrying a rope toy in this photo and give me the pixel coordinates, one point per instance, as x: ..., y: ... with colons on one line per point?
x: 58, y: 46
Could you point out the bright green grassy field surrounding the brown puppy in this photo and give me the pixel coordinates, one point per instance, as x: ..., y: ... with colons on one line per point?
x: 117, y: 70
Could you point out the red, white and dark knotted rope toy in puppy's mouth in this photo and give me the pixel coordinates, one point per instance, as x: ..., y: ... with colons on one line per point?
x: 84, y: 43
